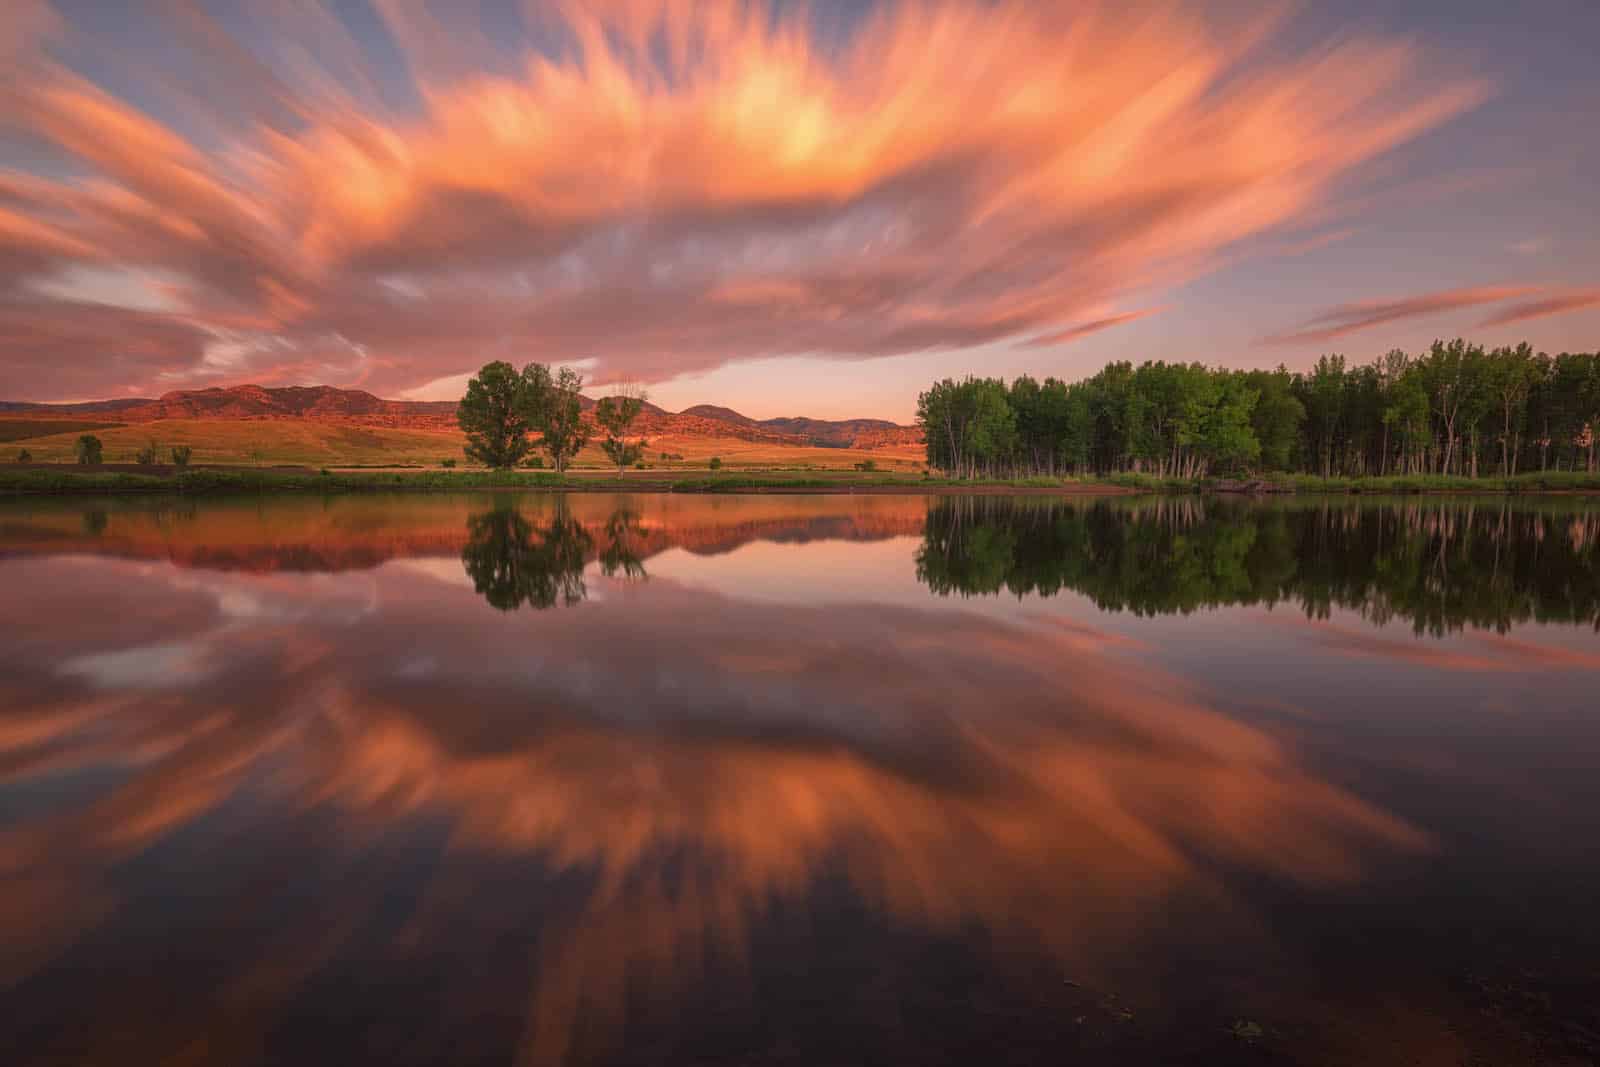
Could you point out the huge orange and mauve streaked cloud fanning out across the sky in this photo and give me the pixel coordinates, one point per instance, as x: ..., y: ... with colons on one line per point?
x: 670, y: 188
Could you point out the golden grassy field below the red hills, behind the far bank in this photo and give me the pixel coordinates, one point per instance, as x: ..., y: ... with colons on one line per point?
x: 326, y: 444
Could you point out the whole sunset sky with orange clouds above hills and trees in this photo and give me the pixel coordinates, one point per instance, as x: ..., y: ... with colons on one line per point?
x: 788, y: 210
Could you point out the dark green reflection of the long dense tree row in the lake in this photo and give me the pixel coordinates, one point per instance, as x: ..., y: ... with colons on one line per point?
x: 1438, y: 565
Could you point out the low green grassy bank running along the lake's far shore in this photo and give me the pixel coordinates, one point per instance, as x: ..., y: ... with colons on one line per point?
x: 70, y: 479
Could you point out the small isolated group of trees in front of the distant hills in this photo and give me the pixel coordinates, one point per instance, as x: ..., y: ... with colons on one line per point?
x: 505, y: 407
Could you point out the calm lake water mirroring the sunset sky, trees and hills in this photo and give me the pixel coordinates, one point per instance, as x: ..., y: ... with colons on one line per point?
x: 783, y: 780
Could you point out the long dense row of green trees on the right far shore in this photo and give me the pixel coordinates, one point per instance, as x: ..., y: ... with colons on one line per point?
x: 1455, y: 410
